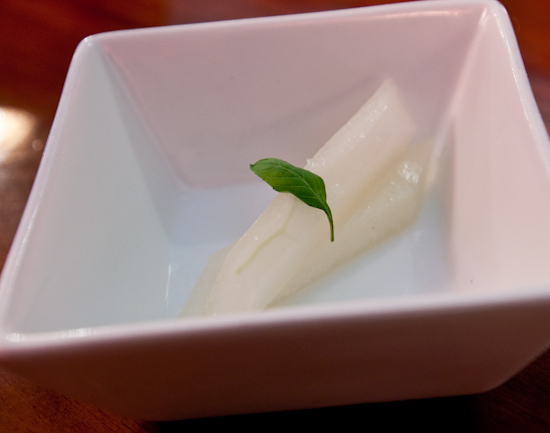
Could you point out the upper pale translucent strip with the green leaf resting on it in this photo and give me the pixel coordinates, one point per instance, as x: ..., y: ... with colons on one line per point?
x: 274, y: 251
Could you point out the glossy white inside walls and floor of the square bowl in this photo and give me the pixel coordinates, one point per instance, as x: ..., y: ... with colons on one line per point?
x: 146, y: 169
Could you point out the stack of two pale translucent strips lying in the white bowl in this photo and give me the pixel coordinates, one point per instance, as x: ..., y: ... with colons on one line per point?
x: 289, y: 246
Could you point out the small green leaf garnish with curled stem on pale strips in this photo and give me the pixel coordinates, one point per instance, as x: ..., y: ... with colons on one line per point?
x: 305, y: 185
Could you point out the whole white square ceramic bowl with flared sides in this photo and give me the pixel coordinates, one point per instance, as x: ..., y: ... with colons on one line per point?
x: 146, y: 173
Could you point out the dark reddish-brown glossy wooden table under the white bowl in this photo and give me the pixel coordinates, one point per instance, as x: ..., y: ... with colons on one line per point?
x: 37, y: 39
